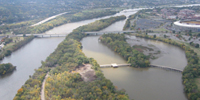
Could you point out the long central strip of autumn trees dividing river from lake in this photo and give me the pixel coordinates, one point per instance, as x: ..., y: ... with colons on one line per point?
x: 65, y: 59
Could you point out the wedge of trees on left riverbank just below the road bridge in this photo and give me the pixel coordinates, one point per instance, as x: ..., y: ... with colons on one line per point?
x: 13, y: 44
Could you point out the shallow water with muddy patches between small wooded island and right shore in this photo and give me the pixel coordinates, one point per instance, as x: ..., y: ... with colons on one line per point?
x: 170, y: 55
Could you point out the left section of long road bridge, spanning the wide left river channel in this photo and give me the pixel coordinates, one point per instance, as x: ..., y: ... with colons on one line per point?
x: 41, y: 35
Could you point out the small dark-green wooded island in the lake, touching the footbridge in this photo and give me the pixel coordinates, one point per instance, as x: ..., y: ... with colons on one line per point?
x: 117, y: 42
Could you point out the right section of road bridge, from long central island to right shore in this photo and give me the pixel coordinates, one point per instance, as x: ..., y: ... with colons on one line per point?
x: 107, y: 32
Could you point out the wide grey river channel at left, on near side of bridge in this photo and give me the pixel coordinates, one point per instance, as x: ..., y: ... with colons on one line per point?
x: 26, y: 59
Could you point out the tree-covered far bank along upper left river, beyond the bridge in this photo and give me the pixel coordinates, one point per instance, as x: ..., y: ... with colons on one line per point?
x: 67, y: 18
